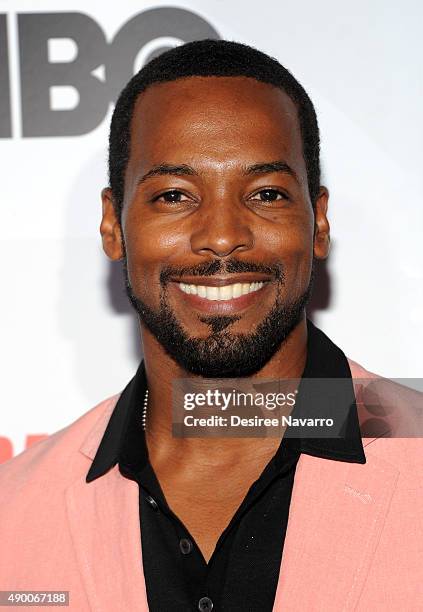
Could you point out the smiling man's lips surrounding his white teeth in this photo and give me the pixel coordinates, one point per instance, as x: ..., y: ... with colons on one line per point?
x: 223, y: 307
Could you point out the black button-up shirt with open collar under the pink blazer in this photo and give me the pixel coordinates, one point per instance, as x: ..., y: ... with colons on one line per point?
x: 243, y: 572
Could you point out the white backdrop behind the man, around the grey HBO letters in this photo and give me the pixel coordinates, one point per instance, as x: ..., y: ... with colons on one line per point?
x: 68, y: 340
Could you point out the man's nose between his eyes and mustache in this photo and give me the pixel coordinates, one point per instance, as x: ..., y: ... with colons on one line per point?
x: 221, y: 230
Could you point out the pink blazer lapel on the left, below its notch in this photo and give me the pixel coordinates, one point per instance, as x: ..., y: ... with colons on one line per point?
x: 104, y: 523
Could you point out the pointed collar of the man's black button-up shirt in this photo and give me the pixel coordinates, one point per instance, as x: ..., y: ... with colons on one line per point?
x: 124, y: 438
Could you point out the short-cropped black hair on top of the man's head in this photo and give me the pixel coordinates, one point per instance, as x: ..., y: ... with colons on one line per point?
x: 209, y: 57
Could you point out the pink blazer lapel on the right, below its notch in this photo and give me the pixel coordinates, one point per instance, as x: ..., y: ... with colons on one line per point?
x: 336, y: 517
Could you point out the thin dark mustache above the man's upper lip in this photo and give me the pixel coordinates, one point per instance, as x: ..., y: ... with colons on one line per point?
x: 218, y: 266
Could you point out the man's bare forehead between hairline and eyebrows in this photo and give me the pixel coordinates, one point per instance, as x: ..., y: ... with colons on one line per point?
x: 225, y: 120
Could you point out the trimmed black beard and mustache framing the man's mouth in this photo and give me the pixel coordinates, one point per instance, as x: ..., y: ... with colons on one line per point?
x: 222, y: 354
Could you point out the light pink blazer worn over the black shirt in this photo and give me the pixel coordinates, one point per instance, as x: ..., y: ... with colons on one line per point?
x: 354, y: 538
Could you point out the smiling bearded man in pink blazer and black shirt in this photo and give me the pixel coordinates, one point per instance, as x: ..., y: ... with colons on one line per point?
x: 216, y: 210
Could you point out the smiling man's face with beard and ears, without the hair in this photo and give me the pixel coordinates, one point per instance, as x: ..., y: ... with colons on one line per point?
x: 217, y: 206
